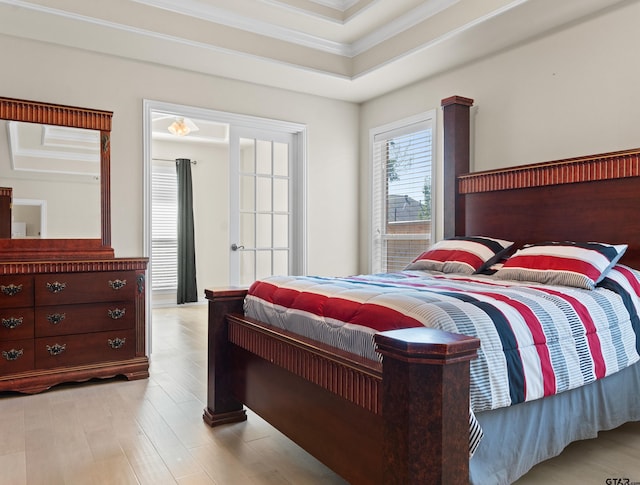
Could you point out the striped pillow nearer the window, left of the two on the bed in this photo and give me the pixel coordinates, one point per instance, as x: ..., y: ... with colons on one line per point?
x: 465, y: 255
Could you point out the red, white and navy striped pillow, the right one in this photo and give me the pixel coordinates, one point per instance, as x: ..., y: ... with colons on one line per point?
x: 562, y: 263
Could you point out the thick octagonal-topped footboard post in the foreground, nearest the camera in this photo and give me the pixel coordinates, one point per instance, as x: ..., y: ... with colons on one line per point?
x: 425, y: 413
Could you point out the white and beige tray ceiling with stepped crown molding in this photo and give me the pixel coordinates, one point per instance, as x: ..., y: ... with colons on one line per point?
x: 345, y: 49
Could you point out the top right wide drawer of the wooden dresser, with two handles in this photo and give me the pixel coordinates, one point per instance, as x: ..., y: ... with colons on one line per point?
x: 65, y: 288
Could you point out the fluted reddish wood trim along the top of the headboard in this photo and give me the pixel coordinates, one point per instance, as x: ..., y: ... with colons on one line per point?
x: 591, y: 168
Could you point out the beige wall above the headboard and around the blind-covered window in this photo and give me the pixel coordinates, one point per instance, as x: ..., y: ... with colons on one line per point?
x: 574, y: 92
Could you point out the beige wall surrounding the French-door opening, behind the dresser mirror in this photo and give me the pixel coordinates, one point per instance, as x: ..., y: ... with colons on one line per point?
x: 55, y: 74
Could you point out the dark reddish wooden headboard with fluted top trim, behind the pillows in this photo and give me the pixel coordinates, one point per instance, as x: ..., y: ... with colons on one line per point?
x: 588, y: 198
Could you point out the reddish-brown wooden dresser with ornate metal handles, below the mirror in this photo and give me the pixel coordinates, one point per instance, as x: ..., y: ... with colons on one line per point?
x: 64, y: 321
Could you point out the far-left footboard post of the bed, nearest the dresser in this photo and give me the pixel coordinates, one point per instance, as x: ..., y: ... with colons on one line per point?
x: 222, y: 407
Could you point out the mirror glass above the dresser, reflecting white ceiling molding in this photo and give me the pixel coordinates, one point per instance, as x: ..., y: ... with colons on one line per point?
x: 54, y: 172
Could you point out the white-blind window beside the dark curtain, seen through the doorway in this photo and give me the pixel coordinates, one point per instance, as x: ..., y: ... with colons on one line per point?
x: 164, y: 231
